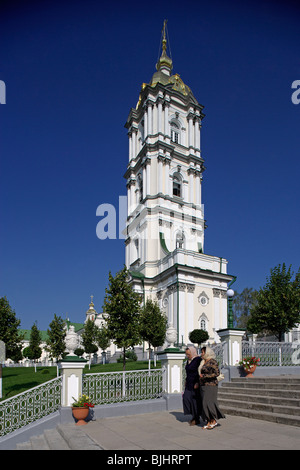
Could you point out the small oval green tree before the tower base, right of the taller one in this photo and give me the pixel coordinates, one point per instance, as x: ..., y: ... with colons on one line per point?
x: 153, y: 324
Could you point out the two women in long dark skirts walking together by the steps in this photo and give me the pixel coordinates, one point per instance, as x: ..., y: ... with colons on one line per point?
x: 201, y: 387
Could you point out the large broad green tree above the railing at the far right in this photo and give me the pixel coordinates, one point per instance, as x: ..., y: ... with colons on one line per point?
x: 278, y: 303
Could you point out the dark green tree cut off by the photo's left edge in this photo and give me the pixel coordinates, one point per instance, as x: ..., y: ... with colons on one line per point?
x: 9, y: 332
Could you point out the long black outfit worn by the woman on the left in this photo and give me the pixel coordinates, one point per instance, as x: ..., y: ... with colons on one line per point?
x: 191, y: 397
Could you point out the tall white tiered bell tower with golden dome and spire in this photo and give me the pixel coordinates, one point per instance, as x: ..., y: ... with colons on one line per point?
x: 165, y: 218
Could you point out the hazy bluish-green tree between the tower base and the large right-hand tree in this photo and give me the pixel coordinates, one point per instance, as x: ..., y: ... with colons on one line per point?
x: 242, y: 304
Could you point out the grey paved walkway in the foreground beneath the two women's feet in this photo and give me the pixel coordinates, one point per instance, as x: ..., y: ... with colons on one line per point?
x: 171, y: 431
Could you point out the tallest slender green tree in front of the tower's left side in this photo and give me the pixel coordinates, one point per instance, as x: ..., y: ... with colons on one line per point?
x: 122, y: 309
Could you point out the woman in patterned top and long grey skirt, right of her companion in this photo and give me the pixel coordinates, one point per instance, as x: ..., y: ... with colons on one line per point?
x: 208, y: 373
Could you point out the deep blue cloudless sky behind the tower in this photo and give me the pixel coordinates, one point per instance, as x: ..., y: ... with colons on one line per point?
x: 73, y: 70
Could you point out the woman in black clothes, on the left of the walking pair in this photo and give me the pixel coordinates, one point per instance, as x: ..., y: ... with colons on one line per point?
x: 191, y: 396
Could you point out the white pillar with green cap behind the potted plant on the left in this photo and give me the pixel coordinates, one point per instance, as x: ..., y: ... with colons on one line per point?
x: 72, y: 368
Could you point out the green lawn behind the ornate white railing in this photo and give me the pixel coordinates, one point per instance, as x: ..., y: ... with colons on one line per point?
x: 19, y: 379
